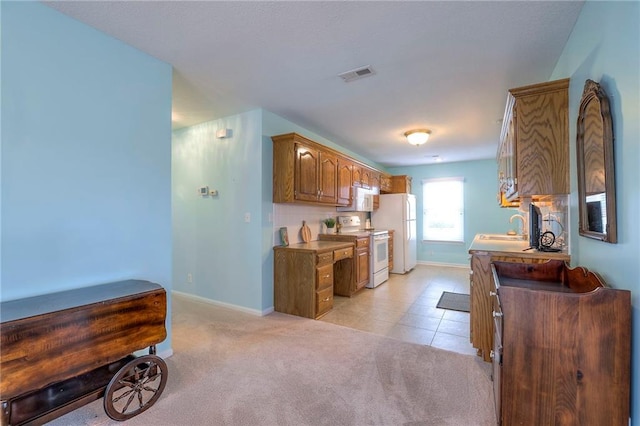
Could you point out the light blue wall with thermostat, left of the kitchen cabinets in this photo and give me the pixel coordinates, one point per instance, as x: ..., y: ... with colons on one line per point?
x: 212, y: 241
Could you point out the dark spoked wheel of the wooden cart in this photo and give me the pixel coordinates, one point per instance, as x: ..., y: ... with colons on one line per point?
x: 136, y: 387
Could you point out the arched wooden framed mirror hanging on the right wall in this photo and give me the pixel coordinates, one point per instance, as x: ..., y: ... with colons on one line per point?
x: 596, y: 179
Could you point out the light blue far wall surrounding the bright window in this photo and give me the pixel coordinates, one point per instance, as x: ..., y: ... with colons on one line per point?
x: 482, y: 213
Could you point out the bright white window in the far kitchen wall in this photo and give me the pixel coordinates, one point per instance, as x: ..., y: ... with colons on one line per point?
x: 443, y: 209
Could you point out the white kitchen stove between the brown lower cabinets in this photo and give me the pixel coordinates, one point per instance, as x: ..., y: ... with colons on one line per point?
x: 379, y: 247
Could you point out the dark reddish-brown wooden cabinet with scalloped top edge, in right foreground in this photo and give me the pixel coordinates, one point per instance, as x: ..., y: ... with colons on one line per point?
x: 562, y: 346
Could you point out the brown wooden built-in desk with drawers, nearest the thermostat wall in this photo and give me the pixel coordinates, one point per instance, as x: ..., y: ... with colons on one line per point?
x: 305, y: 275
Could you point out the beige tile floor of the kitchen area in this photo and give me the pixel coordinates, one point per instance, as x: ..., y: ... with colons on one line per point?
x: 404, y: 307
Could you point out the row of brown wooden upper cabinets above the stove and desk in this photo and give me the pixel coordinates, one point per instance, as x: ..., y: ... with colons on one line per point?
x: 307, y: 172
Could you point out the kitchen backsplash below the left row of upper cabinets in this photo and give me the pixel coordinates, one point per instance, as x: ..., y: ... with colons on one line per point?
x: 292, y: 215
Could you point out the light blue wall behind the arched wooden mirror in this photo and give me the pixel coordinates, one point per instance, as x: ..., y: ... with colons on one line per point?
x: 605, y: 47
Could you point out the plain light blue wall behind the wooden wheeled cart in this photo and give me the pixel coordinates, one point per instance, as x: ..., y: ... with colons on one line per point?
x: 86, y: 166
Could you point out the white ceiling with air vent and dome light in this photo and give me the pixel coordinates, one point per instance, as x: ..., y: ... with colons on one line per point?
x: 444, y: 65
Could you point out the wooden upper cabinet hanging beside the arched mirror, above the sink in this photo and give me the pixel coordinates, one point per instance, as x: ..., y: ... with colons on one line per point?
x: 533, y: 155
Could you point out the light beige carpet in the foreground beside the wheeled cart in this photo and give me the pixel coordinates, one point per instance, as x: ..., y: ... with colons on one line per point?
x: 232, y: 368
